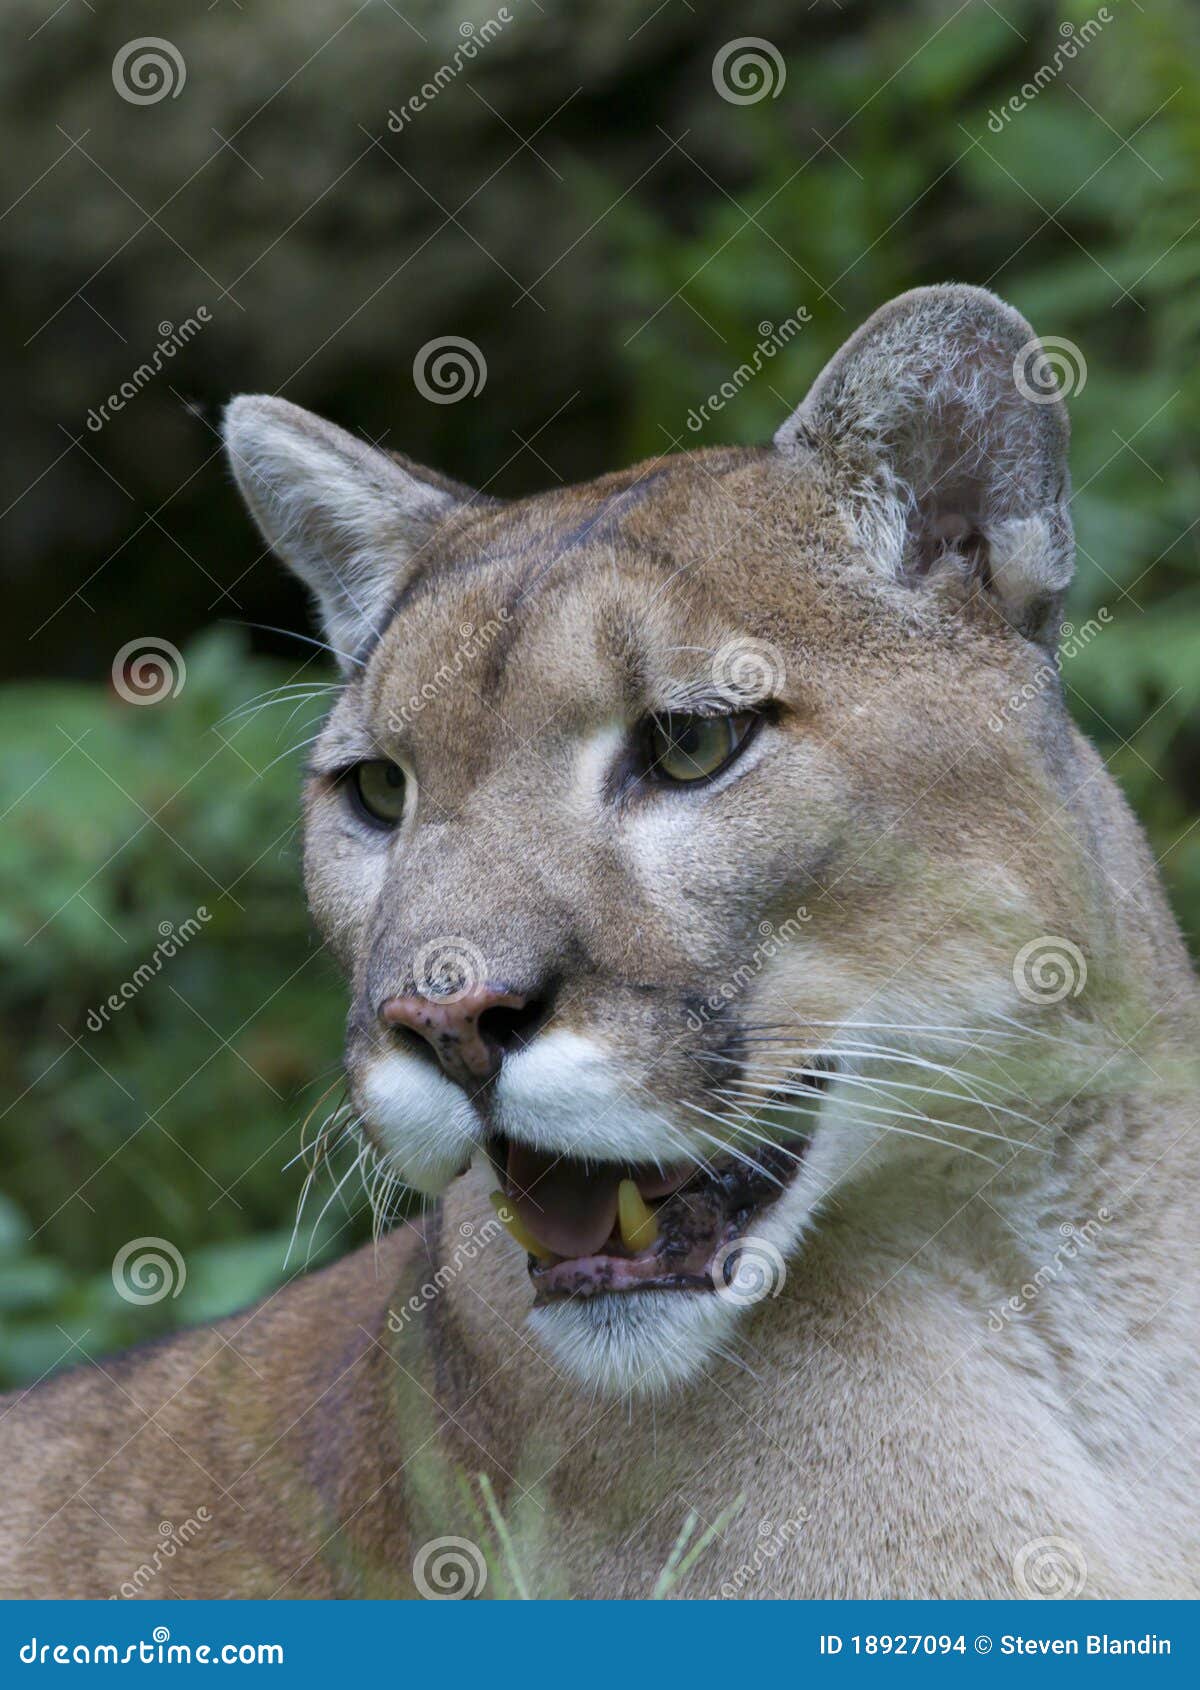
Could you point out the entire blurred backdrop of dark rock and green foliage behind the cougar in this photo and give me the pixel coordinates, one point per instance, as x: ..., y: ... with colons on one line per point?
x: 614, y: 237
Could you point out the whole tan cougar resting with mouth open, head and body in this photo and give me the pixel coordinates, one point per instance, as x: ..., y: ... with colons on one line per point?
x: 777, y: 1005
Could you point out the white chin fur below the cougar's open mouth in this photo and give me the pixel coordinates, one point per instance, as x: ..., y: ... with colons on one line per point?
x: 648, y: 1343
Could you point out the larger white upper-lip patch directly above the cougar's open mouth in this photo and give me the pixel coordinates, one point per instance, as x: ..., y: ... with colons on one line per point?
x: 564, y: 1093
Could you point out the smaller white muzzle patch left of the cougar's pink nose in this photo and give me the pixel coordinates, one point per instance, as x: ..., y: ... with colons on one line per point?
x: 420, y: 1120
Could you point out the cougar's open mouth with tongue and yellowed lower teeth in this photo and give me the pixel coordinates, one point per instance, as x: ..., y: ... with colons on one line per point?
x: 609, y: 1228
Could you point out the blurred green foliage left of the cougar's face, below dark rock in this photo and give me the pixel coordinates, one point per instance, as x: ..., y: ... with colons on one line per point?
x: 166, y: 1104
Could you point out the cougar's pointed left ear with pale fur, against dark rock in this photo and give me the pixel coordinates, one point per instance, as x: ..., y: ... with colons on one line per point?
x: 344, y: 516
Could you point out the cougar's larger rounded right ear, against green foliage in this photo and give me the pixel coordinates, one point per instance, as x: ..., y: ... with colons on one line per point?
x: 947, y: 439
